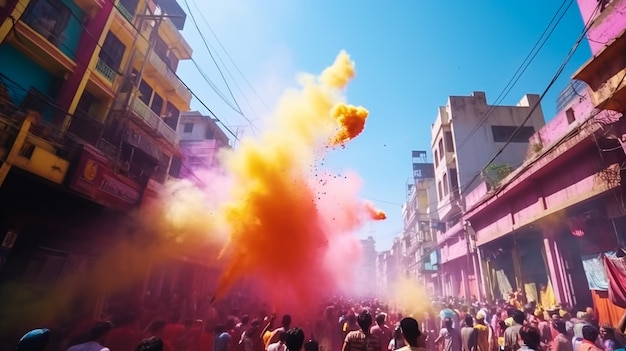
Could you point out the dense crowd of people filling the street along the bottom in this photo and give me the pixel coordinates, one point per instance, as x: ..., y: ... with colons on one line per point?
x: 354, y: 325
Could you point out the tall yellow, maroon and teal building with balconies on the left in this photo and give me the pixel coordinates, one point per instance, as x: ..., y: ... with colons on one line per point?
x: 89, y: 105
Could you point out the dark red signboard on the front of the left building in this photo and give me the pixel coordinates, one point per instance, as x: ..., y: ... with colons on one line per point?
x: 95, y: 179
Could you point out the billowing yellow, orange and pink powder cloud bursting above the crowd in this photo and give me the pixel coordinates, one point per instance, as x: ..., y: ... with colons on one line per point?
x: 291, y: 226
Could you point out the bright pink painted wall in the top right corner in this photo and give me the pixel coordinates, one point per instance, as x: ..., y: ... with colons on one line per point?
x: 609, y: 23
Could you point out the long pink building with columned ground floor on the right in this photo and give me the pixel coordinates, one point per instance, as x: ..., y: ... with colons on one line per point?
x: 565, y: 202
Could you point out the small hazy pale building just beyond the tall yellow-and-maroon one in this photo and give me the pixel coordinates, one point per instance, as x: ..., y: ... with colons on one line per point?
x: 200, y: 141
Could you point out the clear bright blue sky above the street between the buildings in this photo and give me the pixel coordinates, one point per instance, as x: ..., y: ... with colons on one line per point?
x: 410, y: 56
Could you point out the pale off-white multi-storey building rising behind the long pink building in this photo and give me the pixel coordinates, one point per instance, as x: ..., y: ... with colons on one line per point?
x: 465, y: 135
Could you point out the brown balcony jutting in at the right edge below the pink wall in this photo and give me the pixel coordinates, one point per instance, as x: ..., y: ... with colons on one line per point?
x: 605, y: 74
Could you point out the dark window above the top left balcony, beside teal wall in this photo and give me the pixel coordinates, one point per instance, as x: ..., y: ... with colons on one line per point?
x: 49, y: 18
